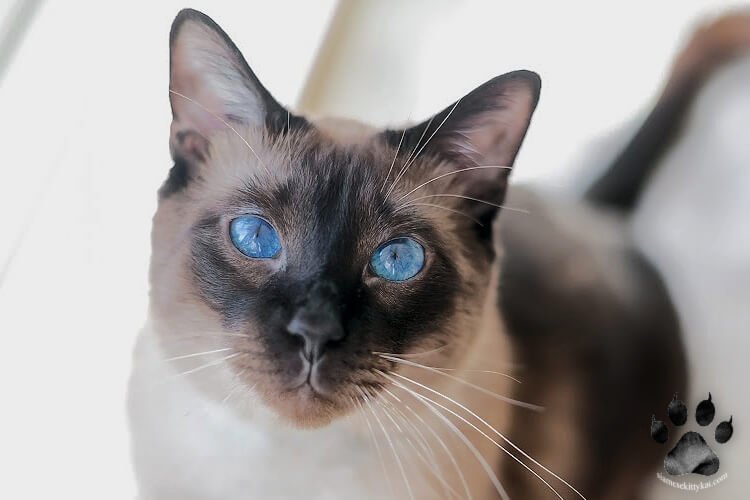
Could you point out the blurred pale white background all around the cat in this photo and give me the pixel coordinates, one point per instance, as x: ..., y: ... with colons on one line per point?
x: 84, y: 120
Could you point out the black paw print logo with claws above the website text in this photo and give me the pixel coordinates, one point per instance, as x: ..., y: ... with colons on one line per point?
x: 691, y: 454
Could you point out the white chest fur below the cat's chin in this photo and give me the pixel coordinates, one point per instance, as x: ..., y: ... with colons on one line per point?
x: 187, y: 446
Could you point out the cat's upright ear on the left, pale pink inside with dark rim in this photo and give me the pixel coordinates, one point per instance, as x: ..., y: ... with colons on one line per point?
x: 211, y: 86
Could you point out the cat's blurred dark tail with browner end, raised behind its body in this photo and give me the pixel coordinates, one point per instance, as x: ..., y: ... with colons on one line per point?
x: 707, y: 50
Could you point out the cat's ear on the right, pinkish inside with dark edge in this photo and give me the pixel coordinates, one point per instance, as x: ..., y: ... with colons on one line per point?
x: 485, y: 127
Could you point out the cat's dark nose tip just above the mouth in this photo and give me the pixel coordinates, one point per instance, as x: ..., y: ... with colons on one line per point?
x: 318, y: 328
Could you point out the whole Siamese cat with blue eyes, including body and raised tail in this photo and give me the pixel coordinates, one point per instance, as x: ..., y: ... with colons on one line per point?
x: 340, y: 312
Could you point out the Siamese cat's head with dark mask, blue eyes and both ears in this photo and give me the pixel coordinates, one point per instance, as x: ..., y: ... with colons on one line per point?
x: 305, y: 248
